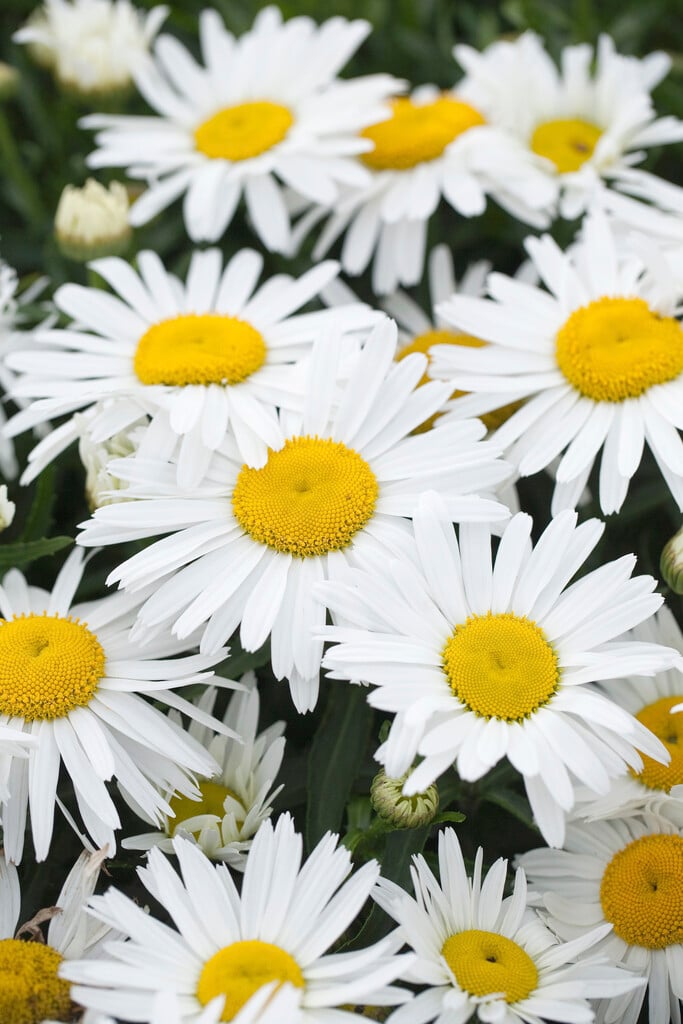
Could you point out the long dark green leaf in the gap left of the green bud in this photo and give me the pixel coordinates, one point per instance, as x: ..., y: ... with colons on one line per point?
x: 336, y: 756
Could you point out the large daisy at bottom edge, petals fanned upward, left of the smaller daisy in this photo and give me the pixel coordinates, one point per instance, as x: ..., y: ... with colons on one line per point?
x: 229, y: 946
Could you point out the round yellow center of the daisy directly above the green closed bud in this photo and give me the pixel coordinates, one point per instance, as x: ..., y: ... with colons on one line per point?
x: 501, y: 666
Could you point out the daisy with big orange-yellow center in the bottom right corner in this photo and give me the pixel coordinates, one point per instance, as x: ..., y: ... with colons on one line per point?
x: 627, y: 873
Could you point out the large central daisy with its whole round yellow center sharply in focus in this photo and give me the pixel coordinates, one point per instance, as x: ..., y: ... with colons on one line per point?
x: 249, y: 545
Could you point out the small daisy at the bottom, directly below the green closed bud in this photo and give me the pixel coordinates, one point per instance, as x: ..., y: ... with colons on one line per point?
x: 482, y: 956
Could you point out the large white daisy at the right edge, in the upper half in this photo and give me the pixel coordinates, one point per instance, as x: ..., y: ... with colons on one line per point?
x: 600, y: 362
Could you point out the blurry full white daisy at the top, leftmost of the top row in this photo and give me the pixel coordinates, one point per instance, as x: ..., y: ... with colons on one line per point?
x: 264, y: 112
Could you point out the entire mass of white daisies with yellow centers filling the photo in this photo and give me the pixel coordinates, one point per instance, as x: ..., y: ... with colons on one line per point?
x: 297, y: 472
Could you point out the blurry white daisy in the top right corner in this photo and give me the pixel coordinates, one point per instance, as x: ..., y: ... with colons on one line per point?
x: 589, y: 121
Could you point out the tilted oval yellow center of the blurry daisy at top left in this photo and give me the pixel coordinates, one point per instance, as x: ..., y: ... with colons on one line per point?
x: 244, y: 132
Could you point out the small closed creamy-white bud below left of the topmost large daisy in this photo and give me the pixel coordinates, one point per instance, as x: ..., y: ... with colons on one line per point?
x: 93, y: 222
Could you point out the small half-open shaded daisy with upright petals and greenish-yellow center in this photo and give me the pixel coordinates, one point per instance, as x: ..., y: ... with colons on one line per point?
x: 236, y: 801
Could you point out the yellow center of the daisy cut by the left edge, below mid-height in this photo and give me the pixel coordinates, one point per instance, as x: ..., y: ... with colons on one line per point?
x: 49, y: 666
